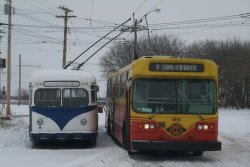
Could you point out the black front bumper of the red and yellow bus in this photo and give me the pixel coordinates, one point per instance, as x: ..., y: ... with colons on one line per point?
x: 175, y: 146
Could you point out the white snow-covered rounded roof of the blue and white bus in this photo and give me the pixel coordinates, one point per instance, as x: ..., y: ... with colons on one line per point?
x: 62, y: 75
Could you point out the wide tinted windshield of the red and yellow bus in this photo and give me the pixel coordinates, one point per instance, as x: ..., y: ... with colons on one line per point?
x: 180, y: 96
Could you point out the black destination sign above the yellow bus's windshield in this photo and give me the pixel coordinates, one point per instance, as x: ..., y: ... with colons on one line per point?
x: 176, y: 67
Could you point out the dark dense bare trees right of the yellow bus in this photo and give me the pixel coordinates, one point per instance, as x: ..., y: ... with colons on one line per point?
x: 233, y: 59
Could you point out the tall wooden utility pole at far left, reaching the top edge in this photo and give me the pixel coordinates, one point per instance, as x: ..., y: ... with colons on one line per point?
x: 9, y: 60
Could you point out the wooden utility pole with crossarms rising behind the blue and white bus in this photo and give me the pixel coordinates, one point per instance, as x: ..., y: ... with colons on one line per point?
x: 66, y: 10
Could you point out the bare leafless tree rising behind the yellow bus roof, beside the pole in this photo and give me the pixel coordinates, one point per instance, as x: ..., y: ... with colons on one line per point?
x: 120, y: 55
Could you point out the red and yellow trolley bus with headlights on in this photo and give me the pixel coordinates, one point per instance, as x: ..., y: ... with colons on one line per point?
x: 163, y: 103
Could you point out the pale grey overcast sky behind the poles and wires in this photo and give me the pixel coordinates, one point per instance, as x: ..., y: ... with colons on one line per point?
x: 38, y: 34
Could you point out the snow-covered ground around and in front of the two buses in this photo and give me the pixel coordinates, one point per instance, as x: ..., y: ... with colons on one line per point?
x: 16, y: 149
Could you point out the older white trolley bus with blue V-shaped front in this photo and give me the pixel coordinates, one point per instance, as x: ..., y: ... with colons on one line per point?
x: 63, y: 106
